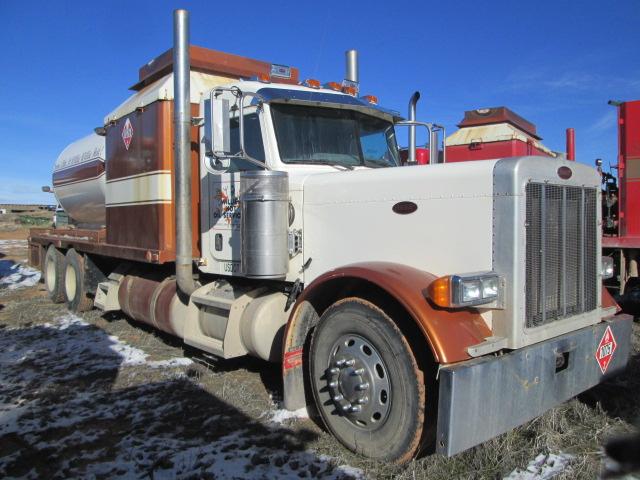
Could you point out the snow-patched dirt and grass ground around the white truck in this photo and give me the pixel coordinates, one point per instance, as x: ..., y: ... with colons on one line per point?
x: 99, y: 396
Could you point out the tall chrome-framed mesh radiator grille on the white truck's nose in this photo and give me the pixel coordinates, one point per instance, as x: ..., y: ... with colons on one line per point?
x: 561, y: 254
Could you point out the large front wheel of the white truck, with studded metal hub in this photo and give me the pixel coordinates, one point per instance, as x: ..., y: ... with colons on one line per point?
x: 366, y: 381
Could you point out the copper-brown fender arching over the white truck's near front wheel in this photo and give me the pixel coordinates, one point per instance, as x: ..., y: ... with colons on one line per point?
x: 447, y: 332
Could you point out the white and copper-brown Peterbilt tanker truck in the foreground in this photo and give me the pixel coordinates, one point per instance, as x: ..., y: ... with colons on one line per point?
x: 413, y: 308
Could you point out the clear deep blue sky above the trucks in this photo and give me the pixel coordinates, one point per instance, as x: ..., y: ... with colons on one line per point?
x: 64, y: 65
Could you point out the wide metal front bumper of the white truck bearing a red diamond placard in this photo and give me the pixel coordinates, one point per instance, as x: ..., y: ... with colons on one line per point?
x: 485, y: 397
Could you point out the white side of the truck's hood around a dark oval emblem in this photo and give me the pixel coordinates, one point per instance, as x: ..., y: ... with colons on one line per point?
x: 349, y: 218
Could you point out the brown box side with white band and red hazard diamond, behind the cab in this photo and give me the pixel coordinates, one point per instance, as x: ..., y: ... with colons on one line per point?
x: 139, y: 182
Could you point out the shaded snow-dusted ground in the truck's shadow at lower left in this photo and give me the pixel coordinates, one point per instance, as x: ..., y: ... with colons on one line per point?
x: 77, y: 402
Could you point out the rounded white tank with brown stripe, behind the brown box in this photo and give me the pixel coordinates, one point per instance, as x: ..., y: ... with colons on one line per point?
x: 79, y: 181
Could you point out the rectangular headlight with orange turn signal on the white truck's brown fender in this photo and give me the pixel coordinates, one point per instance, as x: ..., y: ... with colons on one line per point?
x: 455, y: 291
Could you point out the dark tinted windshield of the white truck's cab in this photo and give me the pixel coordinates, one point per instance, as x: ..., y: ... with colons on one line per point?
x: 332, y: 136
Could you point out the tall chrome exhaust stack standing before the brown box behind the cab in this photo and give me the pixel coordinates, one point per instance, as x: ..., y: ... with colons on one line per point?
x: 182, y: 152
